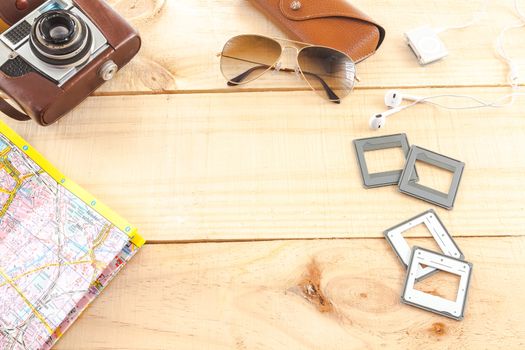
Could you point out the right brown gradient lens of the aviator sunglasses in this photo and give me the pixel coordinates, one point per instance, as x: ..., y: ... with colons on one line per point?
x: 329, y: 72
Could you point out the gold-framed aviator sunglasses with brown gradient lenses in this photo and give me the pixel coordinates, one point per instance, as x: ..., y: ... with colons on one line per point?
x: 329, y: 72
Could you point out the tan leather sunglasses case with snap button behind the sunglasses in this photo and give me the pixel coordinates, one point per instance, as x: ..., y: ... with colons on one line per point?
x: 332, y: 23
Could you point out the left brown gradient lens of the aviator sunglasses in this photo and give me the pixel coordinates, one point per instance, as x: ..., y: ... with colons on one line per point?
x: 247, y: 57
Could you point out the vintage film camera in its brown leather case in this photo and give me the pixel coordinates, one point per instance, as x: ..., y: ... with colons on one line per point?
x: 58, y: 52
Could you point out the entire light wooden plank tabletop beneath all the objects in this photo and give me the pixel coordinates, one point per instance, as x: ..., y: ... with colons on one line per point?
x: 270, y: 169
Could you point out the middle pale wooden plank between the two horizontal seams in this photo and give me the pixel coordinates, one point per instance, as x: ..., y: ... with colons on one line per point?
x: 229, y: 166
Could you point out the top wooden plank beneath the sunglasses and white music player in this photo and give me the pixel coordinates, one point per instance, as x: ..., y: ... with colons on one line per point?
x: 181, y: 39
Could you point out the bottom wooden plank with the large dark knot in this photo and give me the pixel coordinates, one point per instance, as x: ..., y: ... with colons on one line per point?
x: 332, y: 294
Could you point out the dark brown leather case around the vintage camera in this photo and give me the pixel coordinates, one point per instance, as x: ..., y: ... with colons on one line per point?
x: 44, y: 101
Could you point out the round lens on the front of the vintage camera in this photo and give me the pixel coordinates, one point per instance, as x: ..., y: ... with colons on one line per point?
x: 61, y: 38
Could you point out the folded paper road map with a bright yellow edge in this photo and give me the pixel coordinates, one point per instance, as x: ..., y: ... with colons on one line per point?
x: 59, y: 247
